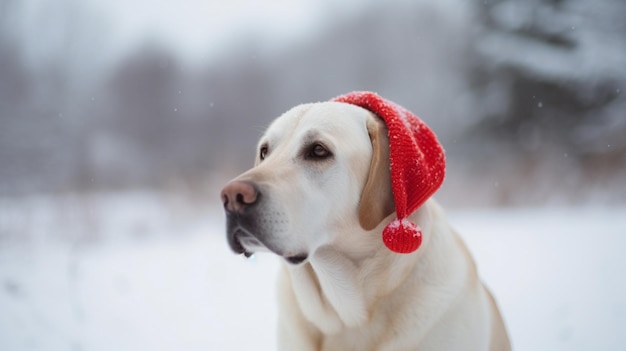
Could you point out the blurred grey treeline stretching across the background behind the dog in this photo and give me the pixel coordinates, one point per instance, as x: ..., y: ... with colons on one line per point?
x: 527, y: 97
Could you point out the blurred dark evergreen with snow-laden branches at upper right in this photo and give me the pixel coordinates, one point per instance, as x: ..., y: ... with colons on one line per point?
x: 551, y: 74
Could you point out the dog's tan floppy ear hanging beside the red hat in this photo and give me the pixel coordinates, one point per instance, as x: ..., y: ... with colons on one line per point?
x: 377, y: 198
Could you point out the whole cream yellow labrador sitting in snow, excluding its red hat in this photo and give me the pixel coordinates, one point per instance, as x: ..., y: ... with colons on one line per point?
x: 340, y: 288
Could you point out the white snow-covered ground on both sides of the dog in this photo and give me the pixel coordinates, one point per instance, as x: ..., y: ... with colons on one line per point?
x: 142, y: 271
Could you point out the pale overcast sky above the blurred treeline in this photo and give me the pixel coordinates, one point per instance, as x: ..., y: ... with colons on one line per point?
x: 194, y: 29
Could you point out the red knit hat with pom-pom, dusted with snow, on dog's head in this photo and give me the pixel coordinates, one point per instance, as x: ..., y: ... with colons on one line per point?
x: 417, y: 163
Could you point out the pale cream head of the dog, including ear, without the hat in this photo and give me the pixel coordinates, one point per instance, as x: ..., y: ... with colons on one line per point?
x: 321, y: 169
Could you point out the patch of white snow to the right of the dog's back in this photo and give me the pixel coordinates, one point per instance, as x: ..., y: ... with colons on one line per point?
x: 556, y: 273
